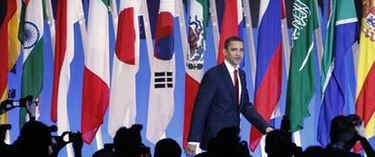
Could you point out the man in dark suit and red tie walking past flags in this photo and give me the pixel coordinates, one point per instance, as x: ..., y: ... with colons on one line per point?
x: 221, y: 98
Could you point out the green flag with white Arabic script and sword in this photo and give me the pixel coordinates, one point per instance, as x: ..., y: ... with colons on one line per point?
x: 301, y: 85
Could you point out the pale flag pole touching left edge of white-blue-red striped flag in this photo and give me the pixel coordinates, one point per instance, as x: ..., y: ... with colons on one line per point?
x: 250, y: 34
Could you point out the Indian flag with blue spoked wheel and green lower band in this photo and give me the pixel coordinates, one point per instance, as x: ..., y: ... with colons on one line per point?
x: 32, y: 44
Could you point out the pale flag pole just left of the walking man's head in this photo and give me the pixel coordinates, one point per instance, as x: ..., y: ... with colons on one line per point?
x: 215, y: 26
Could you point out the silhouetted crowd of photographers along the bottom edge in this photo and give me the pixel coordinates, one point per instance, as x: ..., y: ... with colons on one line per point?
x: 36, y: 139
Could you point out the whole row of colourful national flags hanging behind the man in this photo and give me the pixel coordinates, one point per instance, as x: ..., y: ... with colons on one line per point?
x: 22, y: 25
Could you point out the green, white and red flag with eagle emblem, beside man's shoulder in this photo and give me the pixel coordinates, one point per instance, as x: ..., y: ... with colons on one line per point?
x: 199, y: 16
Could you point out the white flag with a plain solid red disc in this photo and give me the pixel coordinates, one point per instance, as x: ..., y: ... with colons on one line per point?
x: 122, y: 110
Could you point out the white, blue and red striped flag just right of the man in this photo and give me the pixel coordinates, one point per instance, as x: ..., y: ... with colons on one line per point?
x: 269, y: 64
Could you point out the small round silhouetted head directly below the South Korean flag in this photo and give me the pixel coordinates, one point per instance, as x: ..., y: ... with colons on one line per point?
x: 167, y: 147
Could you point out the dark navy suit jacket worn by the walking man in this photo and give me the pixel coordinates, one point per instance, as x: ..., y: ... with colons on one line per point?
x: 215, y: 106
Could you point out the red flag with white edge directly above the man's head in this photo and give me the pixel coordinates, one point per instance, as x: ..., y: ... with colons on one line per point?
x: 232, y: 17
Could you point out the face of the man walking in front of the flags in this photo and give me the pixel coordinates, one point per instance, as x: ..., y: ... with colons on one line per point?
x: 234, y: 53
